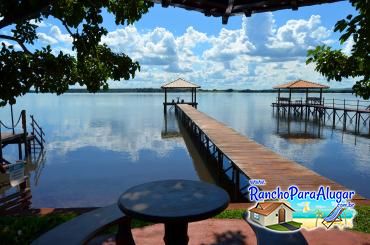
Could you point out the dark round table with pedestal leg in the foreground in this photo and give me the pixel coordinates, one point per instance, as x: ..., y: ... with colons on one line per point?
x: 174, y: 203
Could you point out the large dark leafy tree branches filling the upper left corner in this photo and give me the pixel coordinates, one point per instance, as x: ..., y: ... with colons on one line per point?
x: 46, y: 71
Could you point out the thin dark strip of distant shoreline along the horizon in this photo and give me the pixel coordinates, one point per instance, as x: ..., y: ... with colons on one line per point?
x: 158, y: 90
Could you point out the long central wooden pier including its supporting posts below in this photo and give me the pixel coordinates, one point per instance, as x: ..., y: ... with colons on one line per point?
x: 245, y: 159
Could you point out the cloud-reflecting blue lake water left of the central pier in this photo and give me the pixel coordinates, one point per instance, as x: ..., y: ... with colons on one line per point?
x: 98, y: 146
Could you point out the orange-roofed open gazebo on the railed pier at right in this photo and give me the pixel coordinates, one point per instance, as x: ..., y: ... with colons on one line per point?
x: 300, y: 85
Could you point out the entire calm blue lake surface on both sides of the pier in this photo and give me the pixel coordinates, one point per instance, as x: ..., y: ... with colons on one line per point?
x: 100, y: 145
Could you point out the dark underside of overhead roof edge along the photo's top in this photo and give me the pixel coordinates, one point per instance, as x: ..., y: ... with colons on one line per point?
x: 226, y: 8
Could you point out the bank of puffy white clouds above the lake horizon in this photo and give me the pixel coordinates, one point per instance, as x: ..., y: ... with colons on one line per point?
x: 258, y: 55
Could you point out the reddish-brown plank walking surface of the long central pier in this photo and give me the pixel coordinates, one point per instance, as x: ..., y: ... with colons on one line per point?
x: 257, y: 161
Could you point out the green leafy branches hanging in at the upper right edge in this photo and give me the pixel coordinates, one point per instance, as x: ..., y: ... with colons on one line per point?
x: 335, y: 65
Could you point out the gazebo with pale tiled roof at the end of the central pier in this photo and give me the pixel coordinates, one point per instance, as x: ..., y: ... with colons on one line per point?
x: 178, y: 85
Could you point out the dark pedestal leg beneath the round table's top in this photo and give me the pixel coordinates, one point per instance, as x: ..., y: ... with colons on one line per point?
x: 176, y: 234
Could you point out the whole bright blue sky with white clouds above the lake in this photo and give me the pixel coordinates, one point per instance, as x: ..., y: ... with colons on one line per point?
x: 256, y: 52
